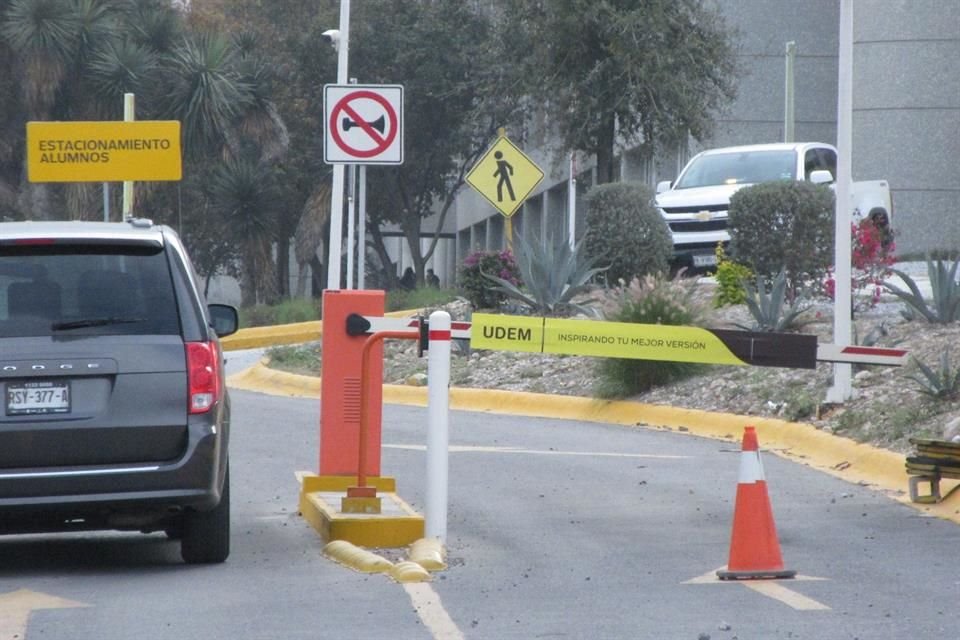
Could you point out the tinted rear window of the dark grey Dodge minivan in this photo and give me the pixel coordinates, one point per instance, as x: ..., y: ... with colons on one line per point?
x: 65, y: 290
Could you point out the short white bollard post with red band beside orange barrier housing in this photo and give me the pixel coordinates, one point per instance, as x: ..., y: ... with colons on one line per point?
x: 438, y: 425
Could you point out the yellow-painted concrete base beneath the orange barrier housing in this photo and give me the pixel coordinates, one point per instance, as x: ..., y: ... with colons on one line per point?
x: 397, y: 524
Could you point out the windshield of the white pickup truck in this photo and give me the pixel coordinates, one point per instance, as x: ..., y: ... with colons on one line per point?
x: 748, y: 167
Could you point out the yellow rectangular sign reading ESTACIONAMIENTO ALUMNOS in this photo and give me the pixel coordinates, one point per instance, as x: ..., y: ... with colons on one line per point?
x: 106, y: 151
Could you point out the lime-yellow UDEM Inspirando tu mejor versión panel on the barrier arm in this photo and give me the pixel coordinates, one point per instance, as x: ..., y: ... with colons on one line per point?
x: 603, y: 339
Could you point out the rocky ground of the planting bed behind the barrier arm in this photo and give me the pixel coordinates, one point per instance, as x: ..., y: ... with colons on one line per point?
x: 888, y: 408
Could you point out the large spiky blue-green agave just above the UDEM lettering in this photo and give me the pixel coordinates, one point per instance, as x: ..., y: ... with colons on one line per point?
x: 553, y: 274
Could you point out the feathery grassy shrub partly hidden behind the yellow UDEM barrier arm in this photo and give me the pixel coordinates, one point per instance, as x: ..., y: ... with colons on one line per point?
x: 653, y: 300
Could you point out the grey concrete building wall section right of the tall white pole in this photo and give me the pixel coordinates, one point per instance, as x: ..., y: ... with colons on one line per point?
x: 906, y: 119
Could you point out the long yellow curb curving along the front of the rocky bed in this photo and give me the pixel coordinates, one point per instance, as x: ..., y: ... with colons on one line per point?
x: 840, y: 457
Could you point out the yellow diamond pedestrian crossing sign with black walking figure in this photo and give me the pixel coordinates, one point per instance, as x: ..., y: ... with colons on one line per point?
x: 505, y: 176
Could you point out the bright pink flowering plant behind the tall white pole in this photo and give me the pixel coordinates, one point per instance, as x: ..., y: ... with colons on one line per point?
x: 871, y: 258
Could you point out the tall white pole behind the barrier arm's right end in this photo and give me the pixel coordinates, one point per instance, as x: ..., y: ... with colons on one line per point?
x: 842, y: 388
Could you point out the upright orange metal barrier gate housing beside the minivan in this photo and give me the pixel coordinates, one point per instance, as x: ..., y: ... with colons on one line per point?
x: 340, y: 386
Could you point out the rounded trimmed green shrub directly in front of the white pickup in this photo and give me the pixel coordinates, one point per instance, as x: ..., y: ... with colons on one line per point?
x: 784, y: 224
